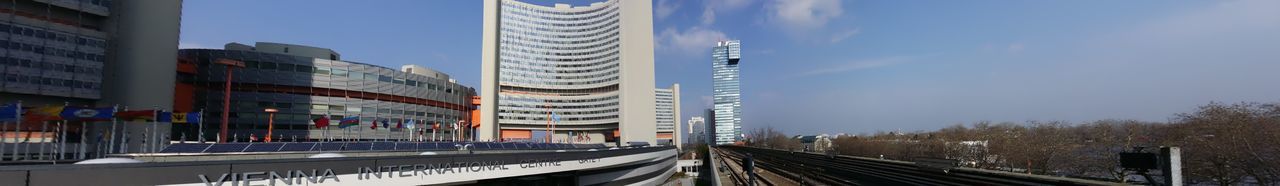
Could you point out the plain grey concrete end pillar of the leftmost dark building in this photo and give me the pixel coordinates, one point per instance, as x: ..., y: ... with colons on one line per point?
x: 143, y: 52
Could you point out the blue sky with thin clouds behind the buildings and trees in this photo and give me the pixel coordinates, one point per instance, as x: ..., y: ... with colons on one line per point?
x: 852, y: 66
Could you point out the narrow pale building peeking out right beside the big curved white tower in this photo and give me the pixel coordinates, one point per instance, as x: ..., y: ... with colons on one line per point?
x: 669, y: 116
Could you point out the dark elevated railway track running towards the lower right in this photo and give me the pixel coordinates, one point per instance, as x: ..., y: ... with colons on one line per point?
x: 812, y: 169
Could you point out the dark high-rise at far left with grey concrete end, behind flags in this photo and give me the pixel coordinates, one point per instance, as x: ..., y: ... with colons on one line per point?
x: 86, y: 53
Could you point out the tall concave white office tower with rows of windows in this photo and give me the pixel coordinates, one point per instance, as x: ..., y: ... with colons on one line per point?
x: 589, y: 66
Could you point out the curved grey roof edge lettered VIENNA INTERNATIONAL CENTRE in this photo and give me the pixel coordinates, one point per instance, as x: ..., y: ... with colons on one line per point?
x: 637, y: 166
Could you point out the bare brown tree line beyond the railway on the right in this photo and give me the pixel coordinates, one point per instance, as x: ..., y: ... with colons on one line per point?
x: 1222, y: 144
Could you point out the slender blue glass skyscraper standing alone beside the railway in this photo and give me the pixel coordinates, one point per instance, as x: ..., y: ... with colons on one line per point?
x: 728, y: 93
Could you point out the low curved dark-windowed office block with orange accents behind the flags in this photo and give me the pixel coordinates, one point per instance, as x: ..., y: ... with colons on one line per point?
x: 307, y: 83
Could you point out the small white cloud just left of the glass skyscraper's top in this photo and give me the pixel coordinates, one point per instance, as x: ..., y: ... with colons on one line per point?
x: 696, y: 40
